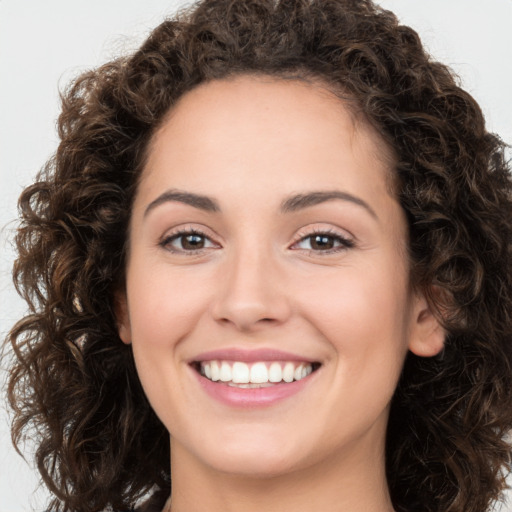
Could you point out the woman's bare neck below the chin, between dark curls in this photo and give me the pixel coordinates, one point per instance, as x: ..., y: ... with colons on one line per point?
x: 345, y: 483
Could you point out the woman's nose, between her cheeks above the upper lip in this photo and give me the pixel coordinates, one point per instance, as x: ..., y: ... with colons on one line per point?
x: 252, y: 293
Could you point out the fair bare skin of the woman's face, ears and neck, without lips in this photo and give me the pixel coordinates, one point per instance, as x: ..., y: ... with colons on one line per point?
x: 259, y: 281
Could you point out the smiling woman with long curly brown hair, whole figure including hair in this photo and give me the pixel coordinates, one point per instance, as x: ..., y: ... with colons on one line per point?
x: 274, y: 243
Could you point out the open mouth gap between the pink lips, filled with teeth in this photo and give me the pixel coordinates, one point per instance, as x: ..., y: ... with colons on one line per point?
x: 256, y: 374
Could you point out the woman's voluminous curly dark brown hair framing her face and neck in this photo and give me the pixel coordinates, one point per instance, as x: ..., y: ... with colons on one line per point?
x: 75, y: 384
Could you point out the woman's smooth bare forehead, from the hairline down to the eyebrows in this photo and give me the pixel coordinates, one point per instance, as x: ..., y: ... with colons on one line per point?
x: 251, y: 144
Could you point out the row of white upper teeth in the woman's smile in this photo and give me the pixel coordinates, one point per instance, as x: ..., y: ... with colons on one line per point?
x: 238, y: 372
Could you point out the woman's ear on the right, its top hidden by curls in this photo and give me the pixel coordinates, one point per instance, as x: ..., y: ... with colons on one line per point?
x: 427, y: 335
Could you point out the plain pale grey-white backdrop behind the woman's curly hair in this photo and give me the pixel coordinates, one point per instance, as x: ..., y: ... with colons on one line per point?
x: 44, y: 44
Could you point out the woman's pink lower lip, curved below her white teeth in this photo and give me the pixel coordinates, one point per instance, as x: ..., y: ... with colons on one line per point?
x: 252, y: 397
